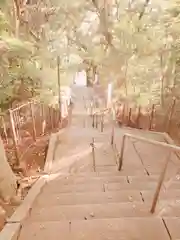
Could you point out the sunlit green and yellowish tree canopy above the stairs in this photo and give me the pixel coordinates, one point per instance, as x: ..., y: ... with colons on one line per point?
x: 135, y: 44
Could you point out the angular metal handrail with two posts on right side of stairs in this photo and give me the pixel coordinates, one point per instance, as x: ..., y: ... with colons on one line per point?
x: 163, y: 173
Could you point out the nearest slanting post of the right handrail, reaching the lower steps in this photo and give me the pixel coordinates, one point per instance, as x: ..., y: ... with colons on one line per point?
x: 160, y: 182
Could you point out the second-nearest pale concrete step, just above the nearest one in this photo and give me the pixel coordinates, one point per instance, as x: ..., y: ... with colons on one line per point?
x: 90, y: 211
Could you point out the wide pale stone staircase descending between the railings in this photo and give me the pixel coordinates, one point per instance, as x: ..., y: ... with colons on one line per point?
x: 106, y: 204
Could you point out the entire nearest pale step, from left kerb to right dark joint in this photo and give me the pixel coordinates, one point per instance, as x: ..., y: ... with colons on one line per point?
x: 97, y: 229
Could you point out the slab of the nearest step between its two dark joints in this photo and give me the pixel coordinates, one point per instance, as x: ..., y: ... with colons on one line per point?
x: 113, y: 229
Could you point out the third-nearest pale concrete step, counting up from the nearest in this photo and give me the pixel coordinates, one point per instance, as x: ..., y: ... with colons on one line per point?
x: 89, y: 198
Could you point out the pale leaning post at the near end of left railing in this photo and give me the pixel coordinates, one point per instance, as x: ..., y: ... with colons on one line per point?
x: 14, y: 138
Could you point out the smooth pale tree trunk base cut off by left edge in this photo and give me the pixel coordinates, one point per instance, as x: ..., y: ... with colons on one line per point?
x: 8, y: 185
